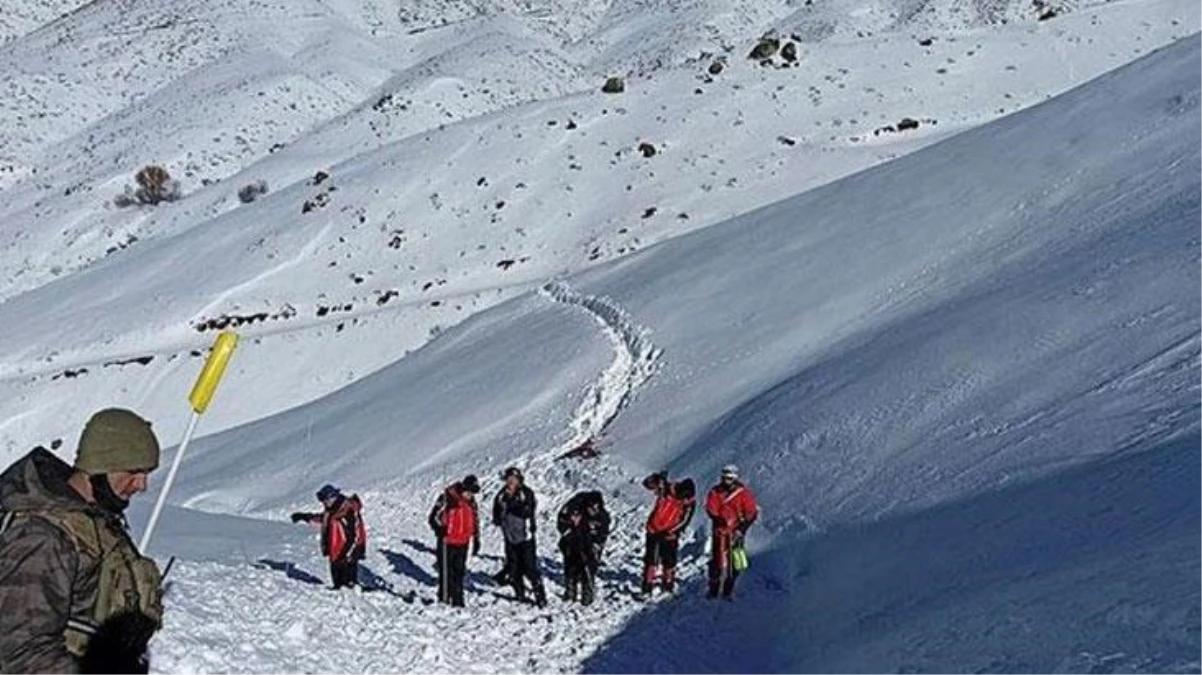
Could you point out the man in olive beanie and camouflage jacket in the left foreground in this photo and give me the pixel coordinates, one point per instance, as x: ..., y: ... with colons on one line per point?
x: 76, y: 594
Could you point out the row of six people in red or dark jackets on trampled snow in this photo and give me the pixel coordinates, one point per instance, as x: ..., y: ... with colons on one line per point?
x: 584, y: 524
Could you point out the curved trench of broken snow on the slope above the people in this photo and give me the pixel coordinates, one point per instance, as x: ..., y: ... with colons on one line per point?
x: 636, y: 361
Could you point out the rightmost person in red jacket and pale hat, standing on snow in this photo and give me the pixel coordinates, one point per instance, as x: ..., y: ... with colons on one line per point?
x: 733, y: 510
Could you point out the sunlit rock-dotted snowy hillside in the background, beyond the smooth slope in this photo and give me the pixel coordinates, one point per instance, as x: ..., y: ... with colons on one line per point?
x: 468, y: 164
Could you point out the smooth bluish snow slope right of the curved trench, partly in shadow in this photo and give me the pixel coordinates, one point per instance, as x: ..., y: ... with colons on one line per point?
x: 985, y: 457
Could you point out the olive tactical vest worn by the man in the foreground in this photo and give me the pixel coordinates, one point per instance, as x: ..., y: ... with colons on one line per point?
x: 127, y: 582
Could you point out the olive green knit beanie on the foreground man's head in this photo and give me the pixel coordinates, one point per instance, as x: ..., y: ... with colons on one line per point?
x: 117, y: 440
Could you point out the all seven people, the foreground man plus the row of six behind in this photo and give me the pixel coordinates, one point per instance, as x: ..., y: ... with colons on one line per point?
x: 78, y: 596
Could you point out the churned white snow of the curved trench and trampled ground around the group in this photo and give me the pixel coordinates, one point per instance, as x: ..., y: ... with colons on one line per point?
x: 282, y: 606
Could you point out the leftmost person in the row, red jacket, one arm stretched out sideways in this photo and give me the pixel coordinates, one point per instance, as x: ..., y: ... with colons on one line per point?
x: 344, y: 537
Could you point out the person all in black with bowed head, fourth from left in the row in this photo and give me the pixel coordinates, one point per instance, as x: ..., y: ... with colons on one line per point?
x: 585, y: 527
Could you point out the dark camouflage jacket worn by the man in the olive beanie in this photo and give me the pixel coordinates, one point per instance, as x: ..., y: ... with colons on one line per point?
x: 52, y: 548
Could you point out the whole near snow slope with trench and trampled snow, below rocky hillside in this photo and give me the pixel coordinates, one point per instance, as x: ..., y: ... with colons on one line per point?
x: 962, y: 384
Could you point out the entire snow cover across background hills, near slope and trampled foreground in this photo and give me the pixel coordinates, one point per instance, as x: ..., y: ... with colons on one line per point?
x: 963, y: 384
